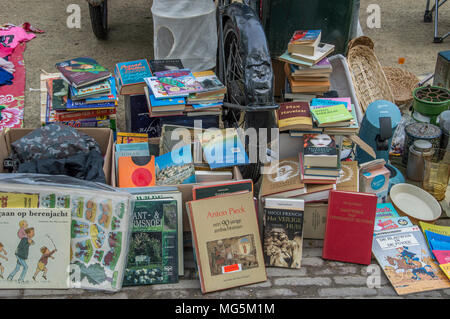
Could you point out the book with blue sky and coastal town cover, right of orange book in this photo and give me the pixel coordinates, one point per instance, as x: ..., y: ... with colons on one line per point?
x: 175, y: 167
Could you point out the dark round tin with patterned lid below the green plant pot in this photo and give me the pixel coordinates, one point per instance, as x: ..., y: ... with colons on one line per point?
x: 421, y: 131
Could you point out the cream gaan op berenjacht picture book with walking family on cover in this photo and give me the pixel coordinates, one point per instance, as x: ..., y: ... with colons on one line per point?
x: 34, y: 248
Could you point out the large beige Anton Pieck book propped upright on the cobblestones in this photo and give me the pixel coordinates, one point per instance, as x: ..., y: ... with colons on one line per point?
x: 226, y: 241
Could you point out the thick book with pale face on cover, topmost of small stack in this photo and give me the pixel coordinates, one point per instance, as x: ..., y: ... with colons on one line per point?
x: 319, y: 150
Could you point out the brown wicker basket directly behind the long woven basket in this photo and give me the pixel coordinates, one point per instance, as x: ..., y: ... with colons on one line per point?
x: 402, y: 84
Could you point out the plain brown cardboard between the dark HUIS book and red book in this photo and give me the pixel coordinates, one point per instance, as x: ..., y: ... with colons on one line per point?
x: 314, y: 220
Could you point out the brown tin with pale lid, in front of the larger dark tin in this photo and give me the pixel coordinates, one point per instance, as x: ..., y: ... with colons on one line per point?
x: 417, y: 152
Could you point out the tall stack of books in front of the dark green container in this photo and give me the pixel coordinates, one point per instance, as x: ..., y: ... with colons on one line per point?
x: 307, y: 69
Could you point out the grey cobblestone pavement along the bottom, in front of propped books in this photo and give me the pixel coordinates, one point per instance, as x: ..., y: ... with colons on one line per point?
x: 317, y: 278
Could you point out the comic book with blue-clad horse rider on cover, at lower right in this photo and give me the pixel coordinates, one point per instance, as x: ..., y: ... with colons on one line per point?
x: 404, y: 256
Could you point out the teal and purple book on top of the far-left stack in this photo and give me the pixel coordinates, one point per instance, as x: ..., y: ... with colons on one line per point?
x: 82, y: 71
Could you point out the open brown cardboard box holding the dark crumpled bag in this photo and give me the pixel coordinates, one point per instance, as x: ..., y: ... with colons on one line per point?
x: 104, y: 137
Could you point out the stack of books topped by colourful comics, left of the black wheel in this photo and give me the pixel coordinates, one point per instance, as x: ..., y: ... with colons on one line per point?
x: 173, y: 90
